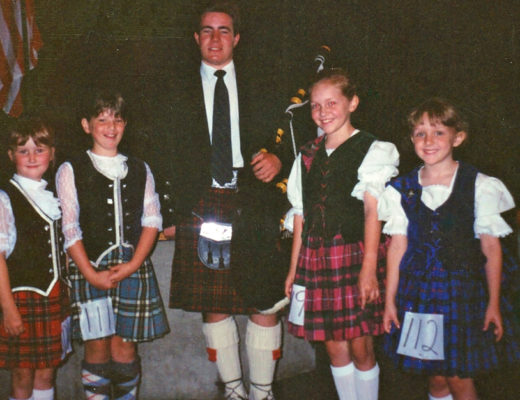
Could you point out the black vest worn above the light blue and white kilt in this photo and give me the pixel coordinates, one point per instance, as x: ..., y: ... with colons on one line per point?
x: 109, y: 210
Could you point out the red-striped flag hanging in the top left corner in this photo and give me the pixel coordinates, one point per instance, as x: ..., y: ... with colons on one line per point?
x: 13, y: 61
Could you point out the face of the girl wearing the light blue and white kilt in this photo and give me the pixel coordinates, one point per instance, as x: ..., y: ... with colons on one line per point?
x: 107, y: 131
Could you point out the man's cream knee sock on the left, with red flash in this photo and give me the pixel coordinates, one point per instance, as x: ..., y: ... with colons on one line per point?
x: 222, y: 346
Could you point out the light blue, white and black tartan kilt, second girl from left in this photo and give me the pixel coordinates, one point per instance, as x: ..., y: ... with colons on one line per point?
x: 136, y: 301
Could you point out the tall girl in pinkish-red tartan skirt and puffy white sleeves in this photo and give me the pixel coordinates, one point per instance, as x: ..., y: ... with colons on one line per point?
x: 336, y: 271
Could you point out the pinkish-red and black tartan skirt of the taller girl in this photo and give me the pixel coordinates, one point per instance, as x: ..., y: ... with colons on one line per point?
x: 332, y: 307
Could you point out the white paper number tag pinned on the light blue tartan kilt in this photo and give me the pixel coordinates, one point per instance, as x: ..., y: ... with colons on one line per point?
x: 97, y: 319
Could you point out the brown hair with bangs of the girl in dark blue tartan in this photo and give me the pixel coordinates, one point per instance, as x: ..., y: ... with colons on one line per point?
x: 439, y: 110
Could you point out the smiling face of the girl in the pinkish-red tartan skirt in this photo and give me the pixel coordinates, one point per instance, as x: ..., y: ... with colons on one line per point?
x: 330, y: 108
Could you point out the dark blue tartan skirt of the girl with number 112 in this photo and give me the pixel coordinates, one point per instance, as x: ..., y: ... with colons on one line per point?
x: 460, y: 295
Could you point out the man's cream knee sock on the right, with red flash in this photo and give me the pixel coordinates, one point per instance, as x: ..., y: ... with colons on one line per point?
x: 263, y: 345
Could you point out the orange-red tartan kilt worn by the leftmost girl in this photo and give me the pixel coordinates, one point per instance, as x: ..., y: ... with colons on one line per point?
x: 40, y: 345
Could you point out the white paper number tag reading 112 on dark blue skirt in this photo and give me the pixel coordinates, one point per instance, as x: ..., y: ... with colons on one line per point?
x: 422, y: 336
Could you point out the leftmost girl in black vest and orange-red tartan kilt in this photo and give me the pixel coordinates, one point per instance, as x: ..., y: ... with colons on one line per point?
x: 34, y: 305
